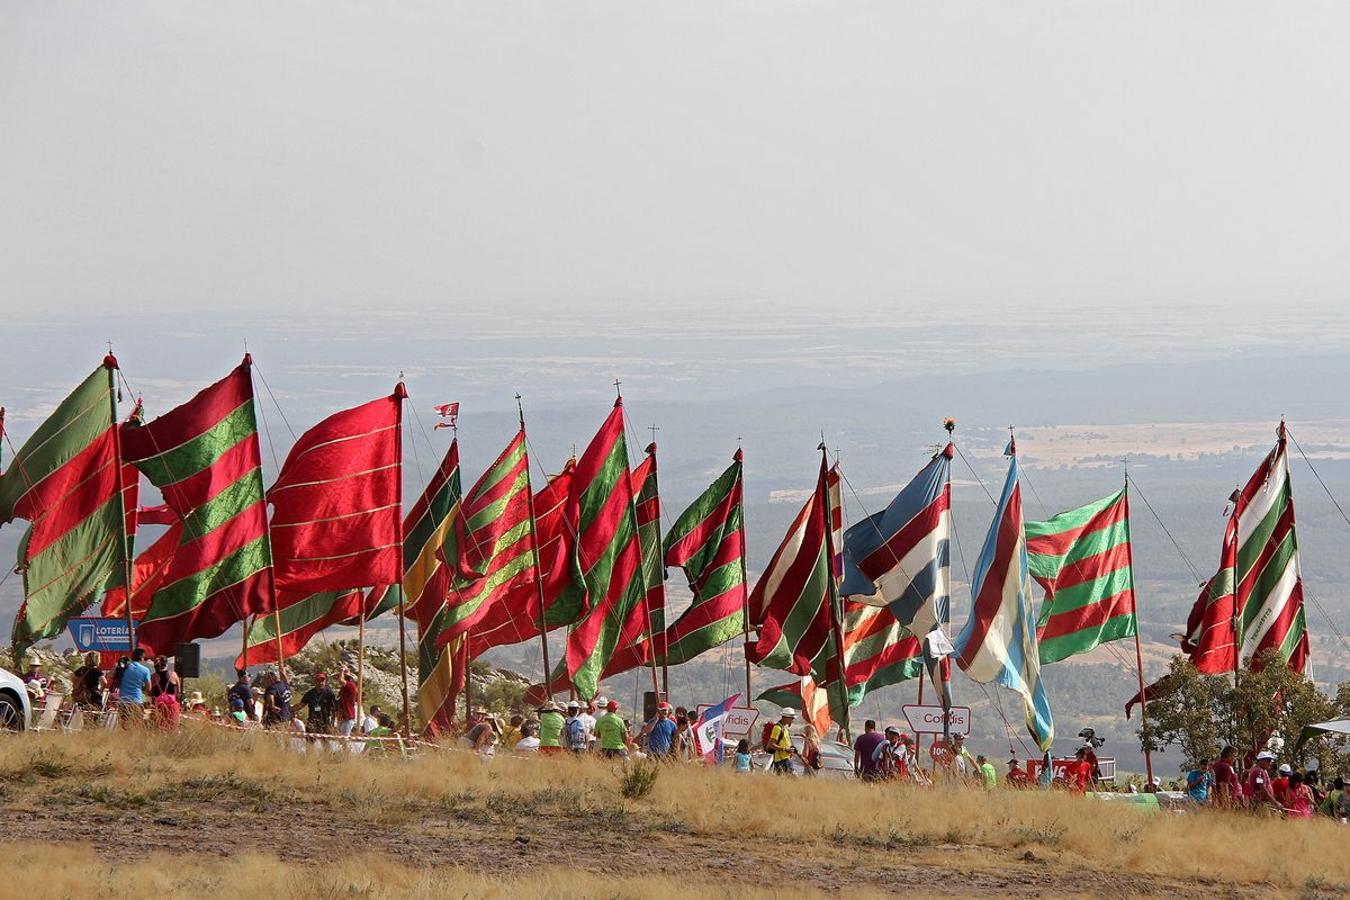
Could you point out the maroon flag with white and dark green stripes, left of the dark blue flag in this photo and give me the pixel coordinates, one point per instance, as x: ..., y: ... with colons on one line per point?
x: 792, y: 602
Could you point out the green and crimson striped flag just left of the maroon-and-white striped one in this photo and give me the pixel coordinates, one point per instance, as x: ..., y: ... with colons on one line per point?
x: 708, y: 542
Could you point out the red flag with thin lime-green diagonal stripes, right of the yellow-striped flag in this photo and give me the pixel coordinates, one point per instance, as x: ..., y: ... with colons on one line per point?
x: 497, y: 546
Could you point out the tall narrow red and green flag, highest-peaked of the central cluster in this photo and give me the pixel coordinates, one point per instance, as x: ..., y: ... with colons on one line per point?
x: 608, y: 554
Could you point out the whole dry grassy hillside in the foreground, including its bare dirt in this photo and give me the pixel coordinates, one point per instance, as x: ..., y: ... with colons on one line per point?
x: 259, y: 818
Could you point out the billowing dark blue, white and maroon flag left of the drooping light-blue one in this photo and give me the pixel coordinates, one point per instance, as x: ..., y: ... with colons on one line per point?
x: 900, y: 558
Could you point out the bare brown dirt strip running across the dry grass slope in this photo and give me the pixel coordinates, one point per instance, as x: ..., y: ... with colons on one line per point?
x: 504, y: 844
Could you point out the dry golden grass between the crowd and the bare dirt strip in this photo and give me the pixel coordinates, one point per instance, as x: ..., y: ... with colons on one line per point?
x: 820, y: 817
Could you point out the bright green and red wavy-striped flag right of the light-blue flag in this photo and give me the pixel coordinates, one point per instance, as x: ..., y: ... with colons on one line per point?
x: 1082, y: 559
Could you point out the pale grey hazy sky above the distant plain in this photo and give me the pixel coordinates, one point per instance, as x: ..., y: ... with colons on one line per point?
x: 209, y: 156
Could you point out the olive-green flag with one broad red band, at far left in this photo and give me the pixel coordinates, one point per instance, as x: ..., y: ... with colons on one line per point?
x: 67, y: 482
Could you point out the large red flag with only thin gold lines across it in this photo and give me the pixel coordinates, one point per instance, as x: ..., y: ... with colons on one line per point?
x: 337, y: 517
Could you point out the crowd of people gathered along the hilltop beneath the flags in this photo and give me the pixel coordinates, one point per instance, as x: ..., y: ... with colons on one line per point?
x: 148, y: 693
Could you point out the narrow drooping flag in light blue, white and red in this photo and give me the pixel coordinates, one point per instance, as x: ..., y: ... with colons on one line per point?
x: 998, y: 643
